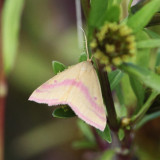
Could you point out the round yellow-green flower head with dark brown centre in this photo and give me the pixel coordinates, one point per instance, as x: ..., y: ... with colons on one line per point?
x: 113, y: 44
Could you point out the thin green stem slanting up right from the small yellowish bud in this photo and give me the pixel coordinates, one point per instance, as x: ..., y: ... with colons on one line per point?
x: 144, y: 108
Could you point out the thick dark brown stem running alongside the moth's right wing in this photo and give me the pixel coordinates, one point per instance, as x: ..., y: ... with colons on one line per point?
x: 108, y: 99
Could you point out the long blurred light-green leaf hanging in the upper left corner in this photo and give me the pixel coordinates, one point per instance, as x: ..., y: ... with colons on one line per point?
x: 11, y: 15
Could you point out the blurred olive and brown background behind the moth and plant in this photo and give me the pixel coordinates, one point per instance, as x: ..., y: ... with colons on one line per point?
x: 48, y: 32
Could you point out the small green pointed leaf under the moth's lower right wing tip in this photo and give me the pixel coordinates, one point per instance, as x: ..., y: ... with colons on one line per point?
x: 106, y: 134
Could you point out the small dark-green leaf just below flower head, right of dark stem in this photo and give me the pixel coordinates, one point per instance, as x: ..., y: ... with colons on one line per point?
x: 114, y: 78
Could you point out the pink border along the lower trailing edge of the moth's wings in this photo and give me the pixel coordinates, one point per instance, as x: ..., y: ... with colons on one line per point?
x: 75, y: 109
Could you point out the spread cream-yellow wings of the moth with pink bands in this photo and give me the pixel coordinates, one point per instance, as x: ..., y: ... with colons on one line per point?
x: 77, y: 86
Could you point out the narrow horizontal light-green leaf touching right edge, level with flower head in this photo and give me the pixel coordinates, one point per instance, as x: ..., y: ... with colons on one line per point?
x: 151, y: 43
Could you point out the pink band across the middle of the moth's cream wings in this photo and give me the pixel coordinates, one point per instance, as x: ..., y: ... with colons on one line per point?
x: 79, y: 85
